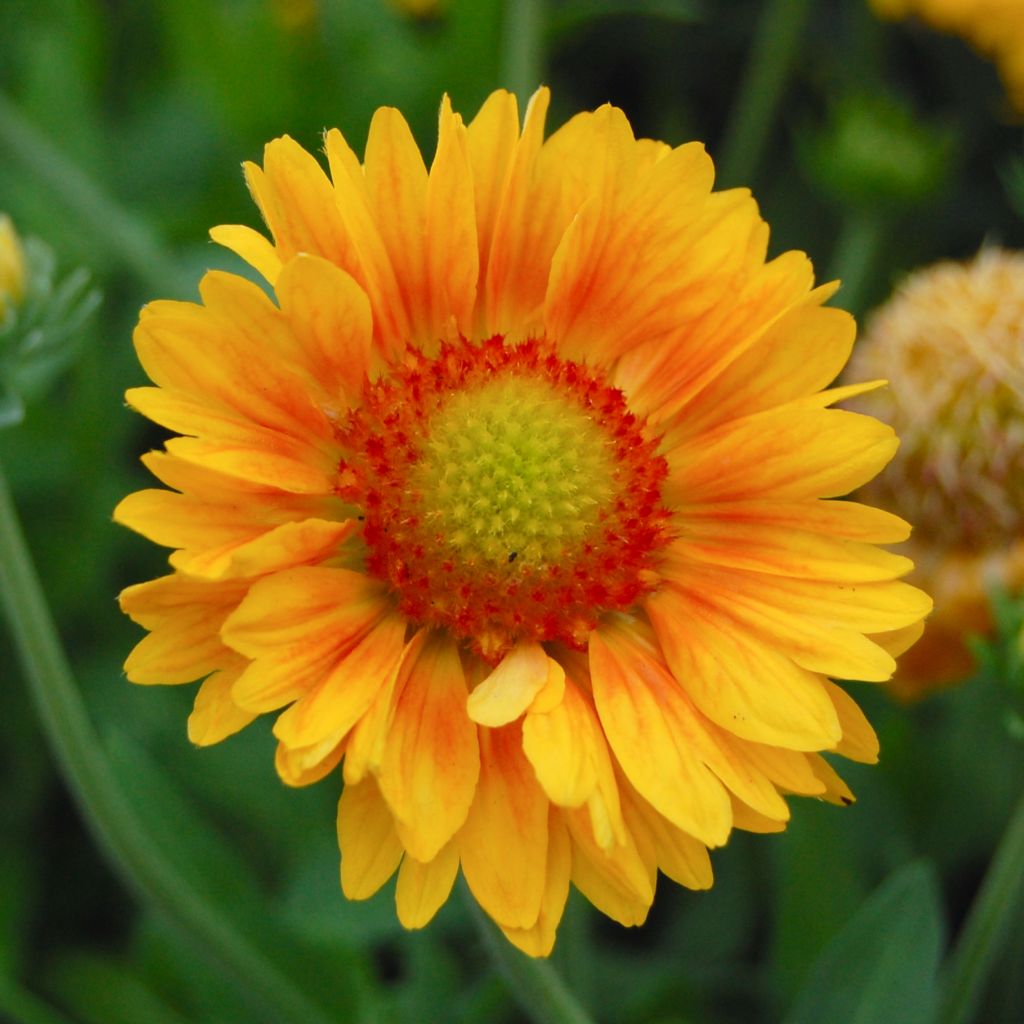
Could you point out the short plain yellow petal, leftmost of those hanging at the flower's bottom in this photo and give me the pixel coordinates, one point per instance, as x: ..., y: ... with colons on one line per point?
x: 370, y: 848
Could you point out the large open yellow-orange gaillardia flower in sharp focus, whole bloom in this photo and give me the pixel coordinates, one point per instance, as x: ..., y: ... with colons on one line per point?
x: 517, y: 501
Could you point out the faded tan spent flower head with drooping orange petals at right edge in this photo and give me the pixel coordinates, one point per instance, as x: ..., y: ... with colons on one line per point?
x: 952, y: 343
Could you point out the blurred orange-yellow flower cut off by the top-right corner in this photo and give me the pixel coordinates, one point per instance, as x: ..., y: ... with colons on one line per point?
x: 996, y: 28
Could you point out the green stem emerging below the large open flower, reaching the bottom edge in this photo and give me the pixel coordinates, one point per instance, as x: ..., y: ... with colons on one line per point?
x: 535, y: 984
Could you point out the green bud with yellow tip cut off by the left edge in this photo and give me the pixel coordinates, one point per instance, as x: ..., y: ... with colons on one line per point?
x: 39, y: 321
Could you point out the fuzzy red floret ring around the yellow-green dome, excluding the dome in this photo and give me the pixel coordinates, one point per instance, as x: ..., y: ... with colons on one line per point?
x: 486, y: 605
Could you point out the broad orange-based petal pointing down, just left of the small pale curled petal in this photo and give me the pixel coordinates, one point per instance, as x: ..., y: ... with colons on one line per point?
x: 432, y: 756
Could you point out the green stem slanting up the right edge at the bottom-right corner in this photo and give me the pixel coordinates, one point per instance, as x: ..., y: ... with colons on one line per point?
x: 982, y: 940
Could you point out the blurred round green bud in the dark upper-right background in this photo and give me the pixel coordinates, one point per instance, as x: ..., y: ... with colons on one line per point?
x: 876, y: 152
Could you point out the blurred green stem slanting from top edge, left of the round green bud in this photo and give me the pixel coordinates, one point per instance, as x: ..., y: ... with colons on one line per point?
x: 761, y: 91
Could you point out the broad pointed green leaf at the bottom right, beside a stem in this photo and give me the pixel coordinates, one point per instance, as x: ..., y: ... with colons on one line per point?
x: 883, y: 966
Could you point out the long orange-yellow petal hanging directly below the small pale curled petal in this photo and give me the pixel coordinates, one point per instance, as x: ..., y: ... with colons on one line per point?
x: 504, y: 842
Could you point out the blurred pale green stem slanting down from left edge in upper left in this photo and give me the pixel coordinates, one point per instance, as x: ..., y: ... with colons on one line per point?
x: 127, y: 236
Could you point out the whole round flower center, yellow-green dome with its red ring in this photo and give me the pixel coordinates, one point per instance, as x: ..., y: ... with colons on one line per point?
x: 506, y: 494
